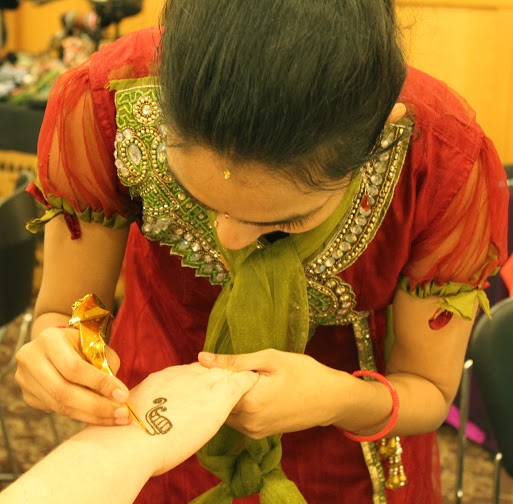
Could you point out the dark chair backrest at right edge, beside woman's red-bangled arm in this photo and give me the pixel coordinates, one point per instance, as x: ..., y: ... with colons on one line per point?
x: 491, y: 349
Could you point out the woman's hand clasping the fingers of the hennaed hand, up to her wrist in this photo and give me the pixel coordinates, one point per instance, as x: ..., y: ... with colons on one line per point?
x: 294, y: 392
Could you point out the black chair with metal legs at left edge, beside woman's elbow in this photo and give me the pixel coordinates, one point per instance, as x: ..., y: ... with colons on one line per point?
x: 17, y: 260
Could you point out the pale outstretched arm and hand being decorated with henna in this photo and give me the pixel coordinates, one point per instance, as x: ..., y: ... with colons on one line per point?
x: 111, y: 464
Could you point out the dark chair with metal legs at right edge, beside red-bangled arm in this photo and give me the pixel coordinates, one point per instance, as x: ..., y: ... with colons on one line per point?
x: 491, y: 354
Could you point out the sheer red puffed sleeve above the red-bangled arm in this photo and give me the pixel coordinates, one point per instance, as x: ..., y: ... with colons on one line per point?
x: 464, y: 237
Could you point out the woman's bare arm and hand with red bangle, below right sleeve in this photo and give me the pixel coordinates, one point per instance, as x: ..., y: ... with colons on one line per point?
x: 295, y: 392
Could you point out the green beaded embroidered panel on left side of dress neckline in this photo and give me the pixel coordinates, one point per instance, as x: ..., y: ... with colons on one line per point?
x: 170, y: 215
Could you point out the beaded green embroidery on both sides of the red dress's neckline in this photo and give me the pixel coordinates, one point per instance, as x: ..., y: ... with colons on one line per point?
x: 173, y: 218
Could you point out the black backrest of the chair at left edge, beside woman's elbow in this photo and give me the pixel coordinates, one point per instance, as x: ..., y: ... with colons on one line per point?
x: 17, y: 251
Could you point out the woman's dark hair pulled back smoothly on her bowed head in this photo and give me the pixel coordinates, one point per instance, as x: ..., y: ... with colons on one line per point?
x: 303, y: 86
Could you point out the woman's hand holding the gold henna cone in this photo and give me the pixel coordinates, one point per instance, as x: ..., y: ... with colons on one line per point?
x: 54, y: 376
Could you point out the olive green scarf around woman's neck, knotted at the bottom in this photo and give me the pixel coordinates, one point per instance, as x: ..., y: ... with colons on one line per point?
x: 265, y: 305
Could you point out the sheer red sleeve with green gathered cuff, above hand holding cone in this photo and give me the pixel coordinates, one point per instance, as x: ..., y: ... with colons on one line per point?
x: 76, y: 171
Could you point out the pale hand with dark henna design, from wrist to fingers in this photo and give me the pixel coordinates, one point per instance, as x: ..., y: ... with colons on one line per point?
x: 197, y: 402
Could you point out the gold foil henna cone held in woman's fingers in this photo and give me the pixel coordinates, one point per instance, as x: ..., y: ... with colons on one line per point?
x: 92, y: 320
